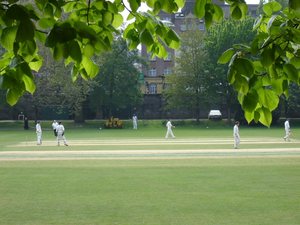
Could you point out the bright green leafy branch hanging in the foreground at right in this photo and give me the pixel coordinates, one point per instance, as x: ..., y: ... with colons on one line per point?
x: 262, y: 71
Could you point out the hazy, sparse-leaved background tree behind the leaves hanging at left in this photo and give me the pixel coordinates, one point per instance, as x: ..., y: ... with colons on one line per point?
x: 53, y: 90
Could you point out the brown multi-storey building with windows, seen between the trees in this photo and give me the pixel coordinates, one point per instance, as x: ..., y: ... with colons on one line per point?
x: 157, y: 69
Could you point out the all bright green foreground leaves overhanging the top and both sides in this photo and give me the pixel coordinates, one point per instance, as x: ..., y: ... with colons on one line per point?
x: 76, y: 30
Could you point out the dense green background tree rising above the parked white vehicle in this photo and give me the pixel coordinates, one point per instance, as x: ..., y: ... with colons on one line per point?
x: 220, y: 37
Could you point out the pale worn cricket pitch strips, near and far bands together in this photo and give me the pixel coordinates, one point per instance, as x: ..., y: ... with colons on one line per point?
x: 63, y: 153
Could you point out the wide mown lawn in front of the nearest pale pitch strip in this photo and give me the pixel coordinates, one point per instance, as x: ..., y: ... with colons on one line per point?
x: 156, y: 192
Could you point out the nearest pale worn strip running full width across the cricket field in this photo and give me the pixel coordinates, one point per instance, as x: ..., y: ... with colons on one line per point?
x: 147, y: 154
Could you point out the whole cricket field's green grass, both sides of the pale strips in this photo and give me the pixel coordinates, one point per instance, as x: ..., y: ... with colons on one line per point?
x: 217, y: 191
